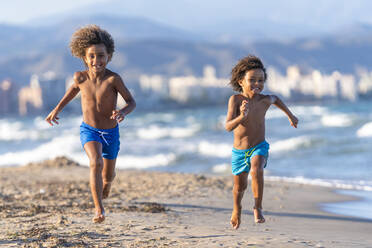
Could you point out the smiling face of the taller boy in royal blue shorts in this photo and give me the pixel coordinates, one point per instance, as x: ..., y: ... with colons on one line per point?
x: 96, y: 57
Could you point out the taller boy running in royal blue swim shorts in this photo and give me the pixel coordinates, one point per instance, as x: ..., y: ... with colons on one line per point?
x: 99, y: 87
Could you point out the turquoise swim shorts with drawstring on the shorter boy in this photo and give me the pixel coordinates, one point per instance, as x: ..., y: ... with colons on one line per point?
x: 241, y: 159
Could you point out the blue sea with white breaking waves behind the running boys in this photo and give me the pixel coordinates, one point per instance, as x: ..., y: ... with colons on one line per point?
x: 331, y: 146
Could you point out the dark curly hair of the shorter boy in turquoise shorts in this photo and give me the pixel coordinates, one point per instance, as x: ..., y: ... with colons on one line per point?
x: 240, y: 69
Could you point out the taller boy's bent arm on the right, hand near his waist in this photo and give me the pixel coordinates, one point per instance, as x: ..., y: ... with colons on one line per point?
x: 129, y: 100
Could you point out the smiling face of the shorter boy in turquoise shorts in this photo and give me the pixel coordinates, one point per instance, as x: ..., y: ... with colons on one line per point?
x: 253, y: 82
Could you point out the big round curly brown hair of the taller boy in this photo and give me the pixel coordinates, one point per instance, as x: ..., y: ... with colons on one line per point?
x: 90, y: 35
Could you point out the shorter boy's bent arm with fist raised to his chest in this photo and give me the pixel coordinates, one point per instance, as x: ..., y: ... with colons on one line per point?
x: 233, y: 119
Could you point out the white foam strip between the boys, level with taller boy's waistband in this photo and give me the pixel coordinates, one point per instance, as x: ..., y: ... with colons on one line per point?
x: 156, y: 132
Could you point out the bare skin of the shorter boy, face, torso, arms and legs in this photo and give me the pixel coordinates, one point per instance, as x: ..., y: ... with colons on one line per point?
x: 246, y: 118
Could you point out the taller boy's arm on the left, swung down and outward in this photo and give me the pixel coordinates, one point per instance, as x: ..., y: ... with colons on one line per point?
x: 69, y: 95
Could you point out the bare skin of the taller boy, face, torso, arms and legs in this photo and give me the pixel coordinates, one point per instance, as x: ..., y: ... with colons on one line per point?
x: 99, y: 88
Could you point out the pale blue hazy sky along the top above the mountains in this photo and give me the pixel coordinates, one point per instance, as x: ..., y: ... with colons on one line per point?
x: 201, y: 15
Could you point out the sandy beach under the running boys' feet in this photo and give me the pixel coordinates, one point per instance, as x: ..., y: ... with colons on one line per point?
x: 49, y: 205
